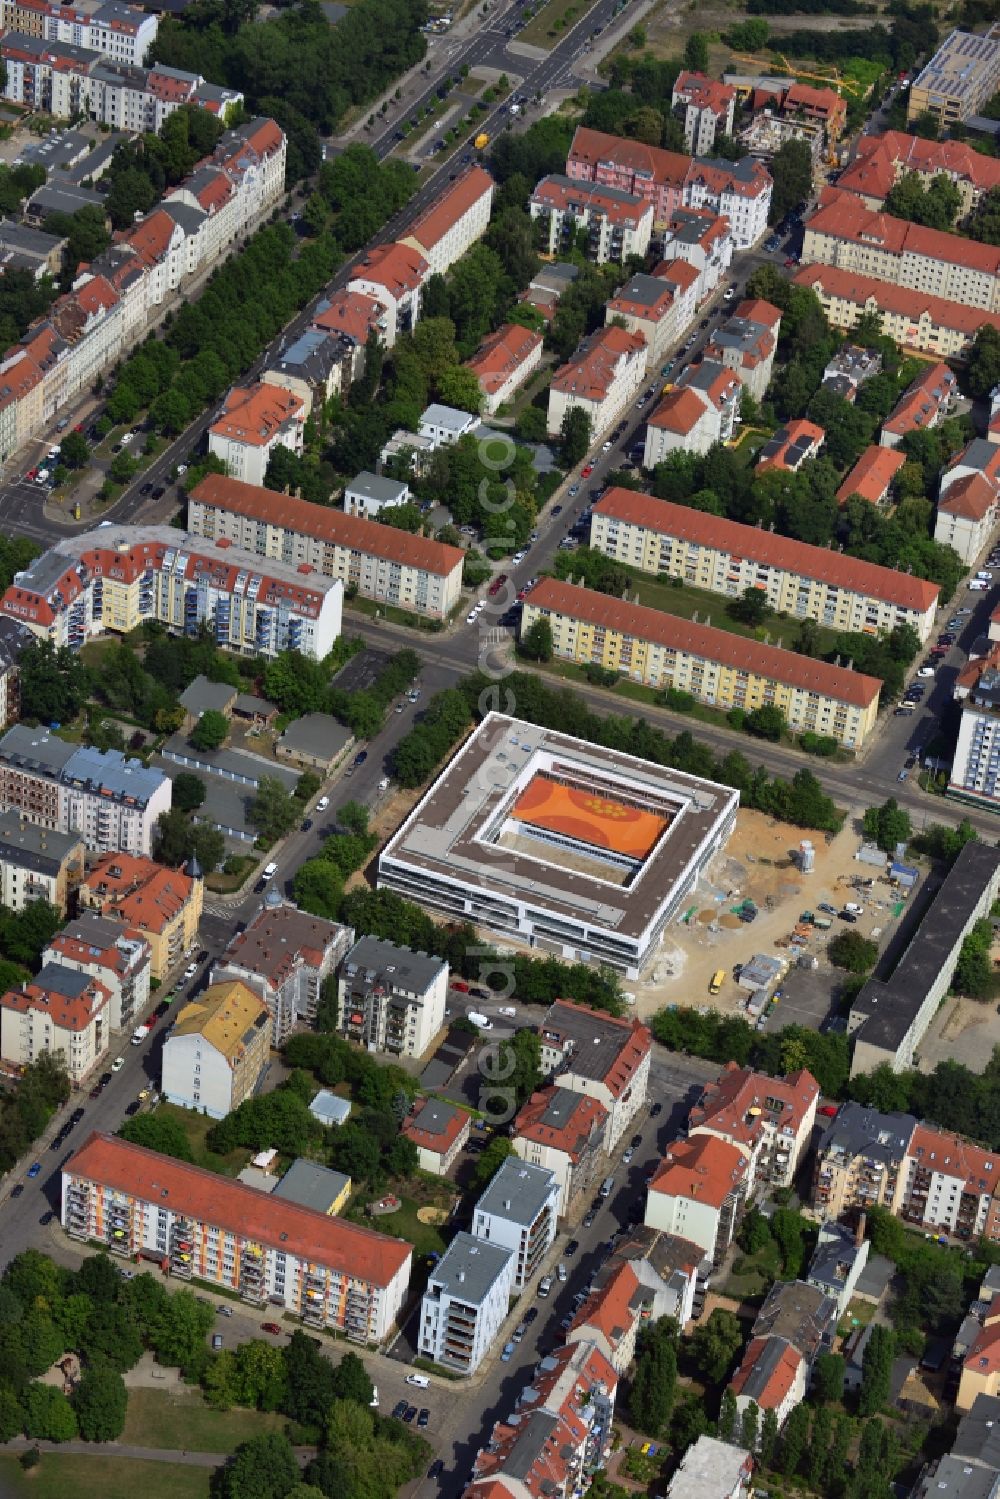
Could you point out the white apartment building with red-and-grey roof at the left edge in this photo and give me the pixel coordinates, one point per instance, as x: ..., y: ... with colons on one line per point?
x: 59, y: 1011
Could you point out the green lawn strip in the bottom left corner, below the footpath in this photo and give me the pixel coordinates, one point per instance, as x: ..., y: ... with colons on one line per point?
x: 101, y: 1477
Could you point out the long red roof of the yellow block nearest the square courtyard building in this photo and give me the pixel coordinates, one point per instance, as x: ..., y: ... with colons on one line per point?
x: 705, y: 642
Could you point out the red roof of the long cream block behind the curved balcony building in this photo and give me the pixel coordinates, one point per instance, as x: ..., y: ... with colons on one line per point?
x: 329, y: 525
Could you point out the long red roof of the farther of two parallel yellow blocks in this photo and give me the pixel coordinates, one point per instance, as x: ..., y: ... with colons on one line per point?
x: 768, y: 549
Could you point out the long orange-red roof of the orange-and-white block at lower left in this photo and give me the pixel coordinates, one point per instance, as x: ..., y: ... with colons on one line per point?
x: 211, y: 1198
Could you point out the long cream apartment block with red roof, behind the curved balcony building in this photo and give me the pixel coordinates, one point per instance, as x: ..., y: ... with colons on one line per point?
x: 389, y: 566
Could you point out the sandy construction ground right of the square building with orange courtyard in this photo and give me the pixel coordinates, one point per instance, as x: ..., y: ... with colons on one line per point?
x: 759, y: 864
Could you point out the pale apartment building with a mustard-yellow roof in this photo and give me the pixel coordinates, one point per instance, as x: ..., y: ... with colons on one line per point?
x: 217, y: 1050
